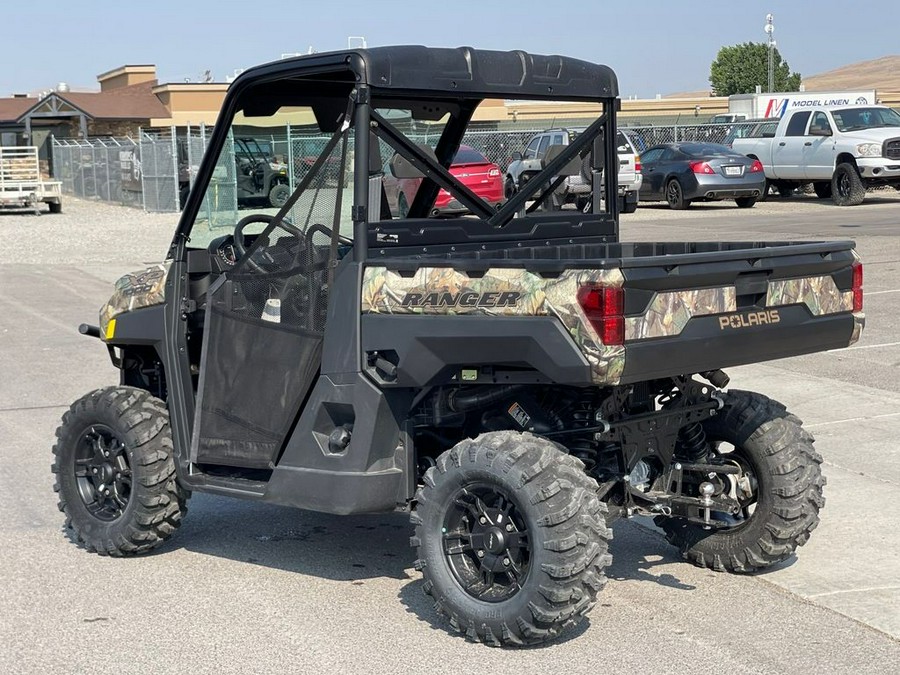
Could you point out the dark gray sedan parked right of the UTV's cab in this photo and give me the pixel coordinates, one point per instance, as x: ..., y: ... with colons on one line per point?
x: 681, y: 173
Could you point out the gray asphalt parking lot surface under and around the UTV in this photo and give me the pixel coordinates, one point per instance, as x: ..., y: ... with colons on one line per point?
x: 248, y: 588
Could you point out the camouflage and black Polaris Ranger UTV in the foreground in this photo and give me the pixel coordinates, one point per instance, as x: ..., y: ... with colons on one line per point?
x: 515, y: 378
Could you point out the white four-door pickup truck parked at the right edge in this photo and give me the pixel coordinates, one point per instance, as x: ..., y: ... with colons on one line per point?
x: 842, y: 151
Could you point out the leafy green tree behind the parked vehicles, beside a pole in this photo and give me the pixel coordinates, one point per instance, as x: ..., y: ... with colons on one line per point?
x: 740, y: 68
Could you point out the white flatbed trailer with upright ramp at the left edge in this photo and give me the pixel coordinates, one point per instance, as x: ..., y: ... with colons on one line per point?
x: 21, y: 184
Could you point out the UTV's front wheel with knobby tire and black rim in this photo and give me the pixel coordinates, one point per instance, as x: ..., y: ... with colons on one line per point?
x: 115, y: 472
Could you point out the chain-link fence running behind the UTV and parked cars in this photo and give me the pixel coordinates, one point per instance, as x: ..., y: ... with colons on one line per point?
x: 158, y: 169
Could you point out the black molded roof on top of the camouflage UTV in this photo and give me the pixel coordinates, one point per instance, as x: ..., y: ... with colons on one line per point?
x: 464, y: 71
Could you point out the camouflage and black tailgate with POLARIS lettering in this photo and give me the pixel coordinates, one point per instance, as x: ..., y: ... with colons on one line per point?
x: 699, y: 312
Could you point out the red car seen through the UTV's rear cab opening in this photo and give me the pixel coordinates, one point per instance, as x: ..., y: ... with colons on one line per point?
x: 472, y: 169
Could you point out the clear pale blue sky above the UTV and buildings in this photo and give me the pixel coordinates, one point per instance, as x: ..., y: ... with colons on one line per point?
x: 655, y: 46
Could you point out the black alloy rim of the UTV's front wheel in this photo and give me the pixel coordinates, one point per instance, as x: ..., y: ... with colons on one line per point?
x: 102, y: 472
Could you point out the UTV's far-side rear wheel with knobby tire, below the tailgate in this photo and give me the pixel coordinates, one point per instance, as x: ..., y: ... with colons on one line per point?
x: 780, y: 488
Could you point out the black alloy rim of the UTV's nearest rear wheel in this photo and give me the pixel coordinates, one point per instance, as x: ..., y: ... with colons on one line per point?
x: 486, y: 543
